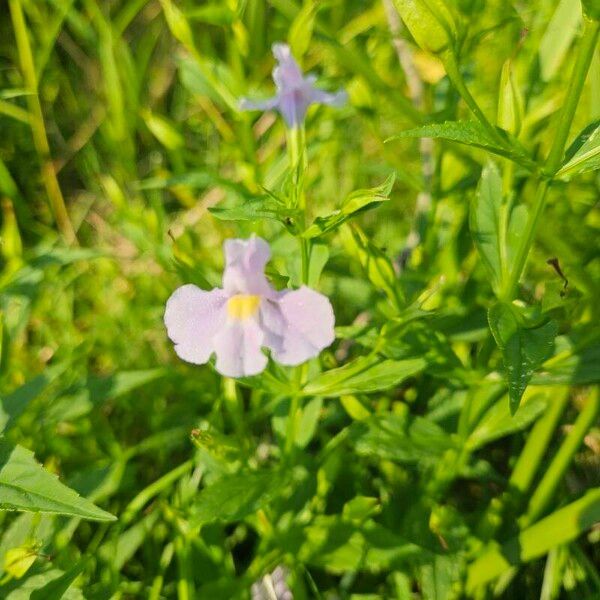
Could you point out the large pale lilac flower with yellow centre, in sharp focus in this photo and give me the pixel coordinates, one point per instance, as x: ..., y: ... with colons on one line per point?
x: 247, y: 314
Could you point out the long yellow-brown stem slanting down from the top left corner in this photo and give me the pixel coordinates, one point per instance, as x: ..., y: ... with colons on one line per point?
x: 40, y: 139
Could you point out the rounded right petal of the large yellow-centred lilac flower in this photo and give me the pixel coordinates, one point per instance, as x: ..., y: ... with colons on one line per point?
x: 309, y: 322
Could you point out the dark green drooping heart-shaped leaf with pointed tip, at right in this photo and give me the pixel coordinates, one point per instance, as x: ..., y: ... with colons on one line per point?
x: 524, y: 348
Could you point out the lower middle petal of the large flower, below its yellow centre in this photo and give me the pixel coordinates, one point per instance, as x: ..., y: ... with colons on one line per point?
x: 238, y: 348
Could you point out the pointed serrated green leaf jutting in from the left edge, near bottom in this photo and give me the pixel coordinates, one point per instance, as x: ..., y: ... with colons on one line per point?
x: 26, y: 485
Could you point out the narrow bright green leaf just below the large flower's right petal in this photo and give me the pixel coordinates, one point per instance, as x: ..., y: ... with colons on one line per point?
x: 363, y: 375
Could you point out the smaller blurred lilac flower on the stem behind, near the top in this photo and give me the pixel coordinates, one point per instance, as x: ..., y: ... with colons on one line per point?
x: 295, y: 93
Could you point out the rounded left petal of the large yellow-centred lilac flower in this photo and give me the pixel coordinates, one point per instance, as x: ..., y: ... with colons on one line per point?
x: 192, y: 317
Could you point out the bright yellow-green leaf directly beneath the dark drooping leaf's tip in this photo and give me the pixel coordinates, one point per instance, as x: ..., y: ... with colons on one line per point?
x: 499, y: 421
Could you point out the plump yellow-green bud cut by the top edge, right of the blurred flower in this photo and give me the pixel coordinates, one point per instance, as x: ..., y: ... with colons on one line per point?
x: 430, y: 22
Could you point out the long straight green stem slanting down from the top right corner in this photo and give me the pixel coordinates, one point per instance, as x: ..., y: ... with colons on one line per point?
x: 565, y: 119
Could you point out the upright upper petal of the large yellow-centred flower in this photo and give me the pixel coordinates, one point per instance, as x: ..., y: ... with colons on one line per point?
x: 245, y: 262
